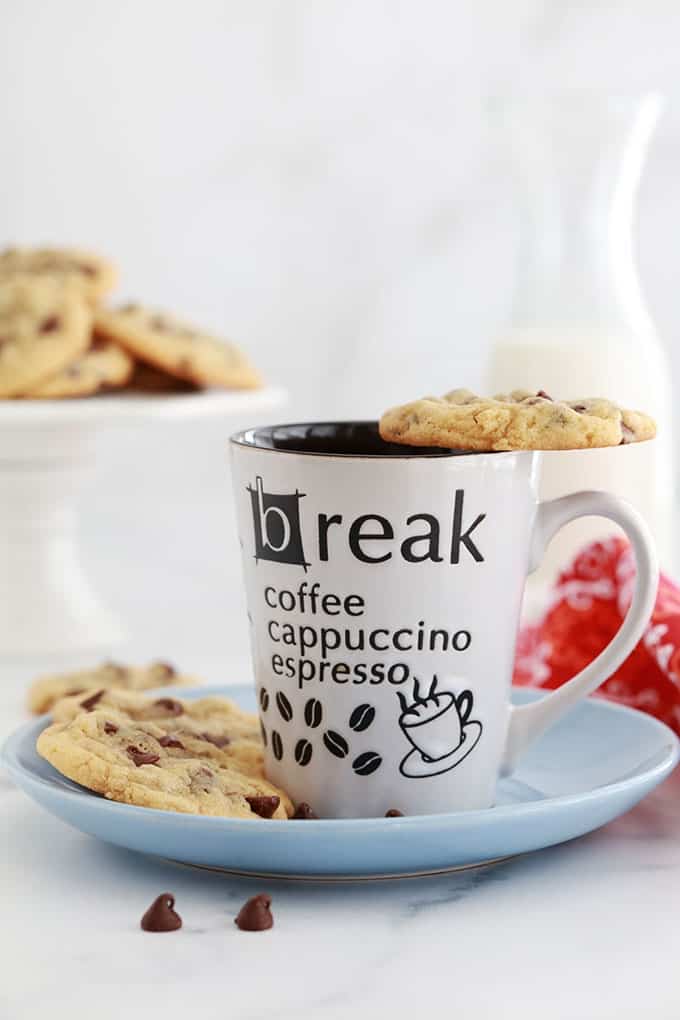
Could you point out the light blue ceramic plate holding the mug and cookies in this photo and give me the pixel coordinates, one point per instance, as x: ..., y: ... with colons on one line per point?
x: 590, y: 769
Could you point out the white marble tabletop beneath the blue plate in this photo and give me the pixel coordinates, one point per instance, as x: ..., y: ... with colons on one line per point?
x: 587, y: 931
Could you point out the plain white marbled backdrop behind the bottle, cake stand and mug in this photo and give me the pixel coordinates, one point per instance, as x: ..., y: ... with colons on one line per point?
x: 321, y: 182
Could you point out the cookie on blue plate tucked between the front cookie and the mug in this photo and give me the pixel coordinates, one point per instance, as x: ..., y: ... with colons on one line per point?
x: 207, y: 728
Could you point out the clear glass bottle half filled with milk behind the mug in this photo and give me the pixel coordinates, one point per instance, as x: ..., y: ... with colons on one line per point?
x: 580, y: 326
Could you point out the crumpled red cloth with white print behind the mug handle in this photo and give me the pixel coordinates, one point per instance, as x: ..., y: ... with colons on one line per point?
x: 586, y: 609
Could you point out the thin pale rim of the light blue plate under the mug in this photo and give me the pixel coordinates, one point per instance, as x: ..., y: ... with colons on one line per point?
x: 654, y: 776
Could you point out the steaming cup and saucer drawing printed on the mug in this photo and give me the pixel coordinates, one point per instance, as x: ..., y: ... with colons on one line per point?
x: 439, y: 728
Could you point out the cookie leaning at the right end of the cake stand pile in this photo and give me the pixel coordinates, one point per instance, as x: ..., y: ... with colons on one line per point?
x: 177, y: 347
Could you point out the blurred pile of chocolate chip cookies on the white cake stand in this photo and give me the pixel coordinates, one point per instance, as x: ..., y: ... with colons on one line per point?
x: 58, y: 340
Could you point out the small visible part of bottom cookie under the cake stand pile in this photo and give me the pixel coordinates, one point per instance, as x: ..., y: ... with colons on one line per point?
x: 103, y: 367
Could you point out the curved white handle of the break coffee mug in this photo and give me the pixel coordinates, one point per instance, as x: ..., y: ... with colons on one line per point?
x: 529, y: 722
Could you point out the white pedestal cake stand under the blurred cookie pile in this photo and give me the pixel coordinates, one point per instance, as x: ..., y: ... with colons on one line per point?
x: 48, y: 604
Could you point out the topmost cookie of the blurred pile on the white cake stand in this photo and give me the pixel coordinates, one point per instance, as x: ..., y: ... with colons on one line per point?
x: 93, y: 276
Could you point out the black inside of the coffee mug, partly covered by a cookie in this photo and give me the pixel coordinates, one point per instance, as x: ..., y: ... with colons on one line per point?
x: 335, y: 439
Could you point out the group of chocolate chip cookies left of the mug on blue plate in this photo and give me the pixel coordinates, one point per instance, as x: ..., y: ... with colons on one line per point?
x: 199, y: 757
